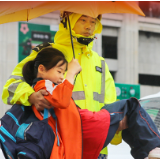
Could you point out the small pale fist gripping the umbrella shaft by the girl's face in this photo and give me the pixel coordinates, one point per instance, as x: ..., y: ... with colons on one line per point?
x: 74, y: 67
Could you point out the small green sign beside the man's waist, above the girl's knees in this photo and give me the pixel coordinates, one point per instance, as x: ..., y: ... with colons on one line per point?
x: 125, y: 91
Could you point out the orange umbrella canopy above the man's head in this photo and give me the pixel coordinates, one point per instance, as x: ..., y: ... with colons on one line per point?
x: 12, y: 11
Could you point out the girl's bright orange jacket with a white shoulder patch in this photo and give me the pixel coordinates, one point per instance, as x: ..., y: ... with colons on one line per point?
x: 68, y: 119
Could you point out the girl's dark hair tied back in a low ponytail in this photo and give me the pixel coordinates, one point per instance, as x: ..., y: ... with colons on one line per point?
x: 48, y: 57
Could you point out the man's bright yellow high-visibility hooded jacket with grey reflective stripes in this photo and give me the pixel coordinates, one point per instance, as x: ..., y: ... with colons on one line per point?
x: 94, y: 85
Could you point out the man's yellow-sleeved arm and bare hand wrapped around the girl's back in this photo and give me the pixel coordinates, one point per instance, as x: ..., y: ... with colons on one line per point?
x: 17, y: 91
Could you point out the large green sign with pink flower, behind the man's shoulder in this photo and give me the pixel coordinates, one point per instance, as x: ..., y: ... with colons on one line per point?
x: 31, y: 35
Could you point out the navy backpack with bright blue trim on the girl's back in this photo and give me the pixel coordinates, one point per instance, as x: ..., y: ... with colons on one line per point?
x: 23, y: 135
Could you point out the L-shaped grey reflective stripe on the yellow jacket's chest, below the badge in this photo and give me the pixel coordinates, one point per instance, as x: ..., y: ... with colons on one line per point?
x: 100, y: 97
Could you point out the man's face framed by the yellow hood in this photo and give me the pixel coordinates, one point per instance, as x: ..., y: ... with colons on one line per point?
x: 85, y: 26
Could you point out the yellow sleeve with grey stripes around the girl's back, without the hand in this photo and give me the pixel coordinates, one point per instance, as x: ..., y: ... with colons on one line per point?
x: 16, y: 90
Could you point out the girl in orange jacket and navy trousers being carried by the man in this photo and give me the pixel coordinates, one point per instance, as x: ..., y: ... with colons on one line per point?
x: 78, y: 126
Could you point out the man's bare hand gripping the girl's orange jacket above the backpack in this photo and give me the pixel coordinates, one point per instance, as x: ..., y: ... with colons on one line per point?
x: 37, y: 98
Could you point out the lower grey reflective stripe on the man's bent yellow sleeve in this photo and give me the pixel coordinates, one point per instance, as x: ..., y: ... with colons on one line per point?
x: 11, y: 90
